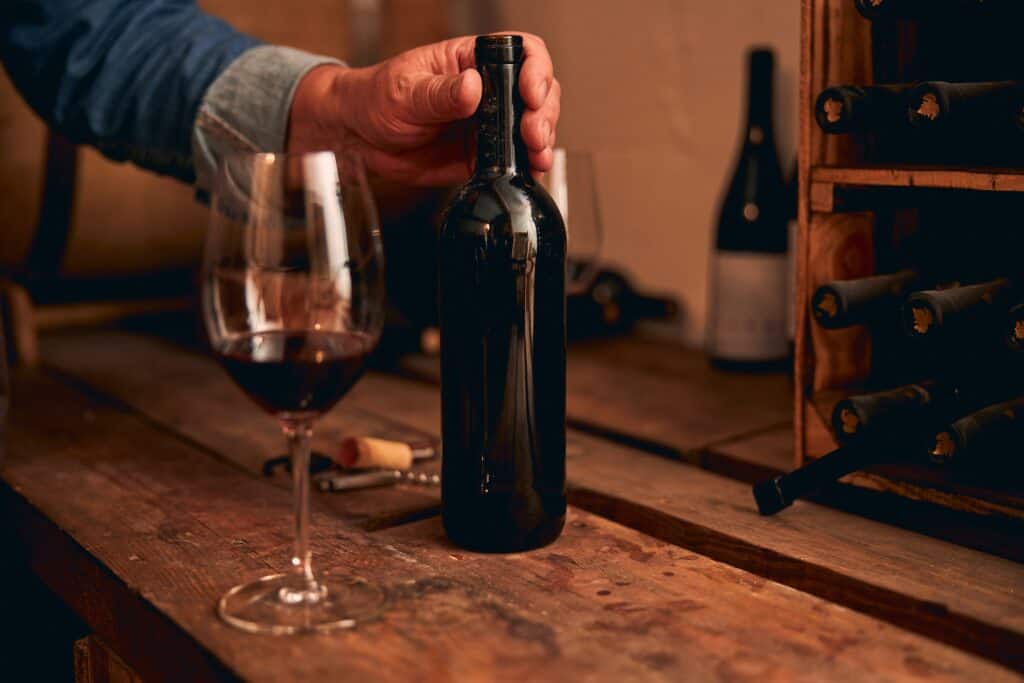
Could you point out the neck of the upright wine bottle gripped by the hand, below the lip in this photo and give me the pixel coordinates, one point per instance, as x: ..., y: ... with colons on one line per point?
x: 500, y: 150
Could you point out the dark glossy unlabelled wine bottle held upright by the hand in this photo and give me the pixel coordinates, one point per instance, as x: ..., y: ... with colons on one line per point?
x: 502, y: 291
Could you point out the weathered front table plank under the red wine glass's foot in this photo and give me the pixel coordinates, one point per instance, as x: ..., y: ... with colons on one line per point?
x: 169, y: 529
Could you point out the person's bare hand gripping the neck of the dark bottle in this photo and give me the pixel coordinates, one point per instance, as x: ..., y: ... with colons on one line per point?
x: 409, y: 115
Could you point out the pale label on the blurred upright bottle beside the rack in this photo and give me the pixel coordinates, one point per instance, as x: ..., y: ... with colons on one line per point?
x: 749, y: 307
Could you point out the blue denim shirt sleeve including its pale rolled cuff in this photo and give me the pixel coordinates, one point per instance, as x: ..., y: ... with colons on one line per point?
x: 130, y: 77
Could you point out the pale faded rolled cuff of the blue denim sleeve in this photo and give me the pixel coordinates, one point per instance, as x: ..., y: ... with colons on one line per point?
x: 246, y: 108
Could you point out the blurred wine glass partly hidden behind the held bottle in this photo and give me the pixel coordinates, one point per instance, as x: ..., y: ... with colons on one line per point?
x: 573, y: 176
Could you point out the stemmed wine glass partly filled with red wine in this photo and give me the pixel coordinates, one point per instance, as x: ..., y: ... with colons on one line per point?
x: 293, y: 295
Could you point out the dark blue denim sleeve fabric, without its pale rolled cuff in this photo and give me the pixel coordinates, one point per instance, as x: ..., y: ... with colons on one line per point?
x: 125, y: 76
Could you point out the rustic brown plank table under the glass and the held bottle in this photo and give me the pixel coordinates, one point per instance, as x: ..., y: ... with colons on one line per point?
x: 133, y: 490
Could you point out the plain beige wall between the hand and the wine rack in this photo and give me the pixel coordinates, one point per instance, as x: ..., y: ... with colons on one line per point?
x: 655, y: 89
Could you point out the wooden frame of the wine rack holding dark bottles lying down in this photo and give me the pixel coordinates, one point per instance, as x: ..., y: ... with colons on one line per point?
x: 837, y: 243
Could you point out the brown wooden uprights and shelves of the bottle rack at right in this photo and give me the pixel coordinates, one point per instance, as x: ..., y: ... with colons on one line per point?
x: 844, y: 234
